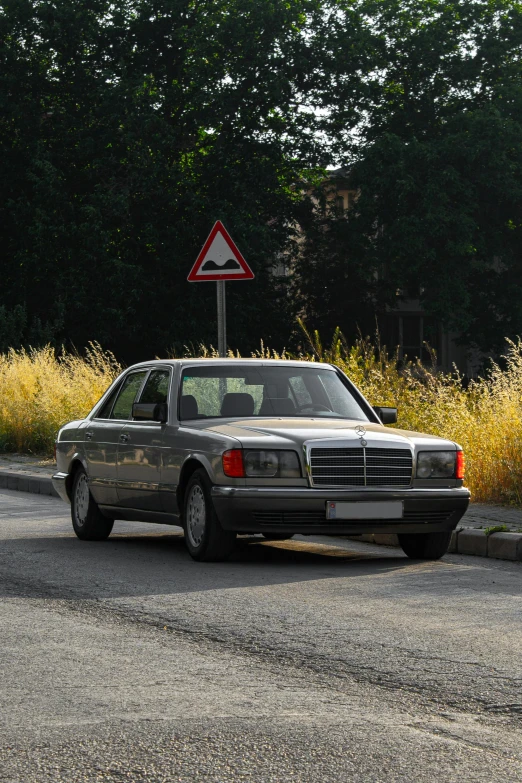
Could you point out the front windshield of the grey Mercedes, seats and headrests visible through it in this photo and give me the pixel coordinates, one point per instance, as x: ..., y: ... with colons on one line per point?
x: 243, y: 391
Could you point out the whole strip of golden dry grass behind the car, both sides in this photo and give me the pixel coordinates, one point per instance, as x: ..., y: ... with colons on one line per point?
x: 39, y: 391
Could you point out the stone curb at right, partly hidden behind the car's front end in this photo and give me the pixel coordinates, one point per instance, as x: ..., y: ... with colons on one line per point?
x: 465, y: 541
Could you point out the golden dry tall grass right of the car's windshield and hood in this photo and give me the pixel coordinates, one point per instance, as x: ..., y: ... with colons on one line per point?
x: 484, y: 416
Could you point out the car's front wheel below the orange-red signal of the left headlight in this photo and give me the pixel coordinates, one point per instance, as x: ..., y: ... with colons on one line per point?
x: 206, y: 540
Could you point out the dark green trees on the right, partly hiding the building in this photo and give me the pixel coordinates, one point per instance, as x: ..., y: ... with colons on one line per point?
x: 431, y: 139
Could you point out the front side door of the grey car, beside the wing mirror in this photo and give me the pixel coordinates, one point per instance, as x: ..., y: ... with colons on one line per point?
x: 140, y: 449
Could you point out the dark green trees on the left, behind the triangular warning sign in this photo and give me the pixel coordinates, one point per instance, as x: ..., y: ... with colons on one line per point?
x: 125, y: 131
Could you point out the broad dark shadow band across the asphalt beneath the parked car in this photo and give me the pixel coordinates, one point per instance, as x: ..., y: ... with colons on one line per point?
x: 39, y: 554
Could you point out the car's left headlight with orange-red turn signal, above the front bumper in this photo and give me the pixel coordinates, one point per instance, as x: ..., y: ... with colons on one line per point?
x: 261, y: 464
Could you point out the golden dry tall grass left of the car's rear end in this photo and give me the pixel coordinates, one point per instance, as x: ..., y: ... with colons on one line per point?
x: 40, y: 391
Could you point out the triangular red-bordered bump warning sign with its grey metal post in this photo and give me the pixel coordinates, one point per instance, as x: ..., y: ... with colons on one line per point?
x: 220, y: 260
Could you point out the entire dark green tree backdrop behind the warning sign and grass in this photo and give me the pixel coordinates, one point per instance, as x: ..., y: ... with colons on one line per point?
x: 127, y: 129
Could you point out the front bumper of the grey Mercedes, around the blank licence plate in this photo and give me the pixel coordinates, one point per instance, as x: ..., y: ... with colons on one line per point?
x: 303, y: 510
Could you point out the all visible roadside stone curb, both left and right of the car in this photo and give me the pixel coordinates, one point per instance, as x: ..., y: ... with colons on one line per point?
x: 464, y: 541
